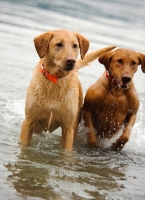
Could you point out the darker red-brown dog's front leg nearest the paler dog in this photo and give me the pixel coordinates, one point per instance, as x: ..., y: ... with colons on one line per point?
x: 91, y: 136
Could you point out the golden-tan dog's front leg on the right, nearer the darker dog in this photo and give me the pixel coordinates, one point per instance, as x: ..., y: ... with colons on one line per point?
x: 67, y: 138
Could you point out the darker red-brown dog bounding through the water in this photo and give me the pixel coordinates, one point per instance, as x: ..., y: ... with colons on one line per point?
x: 112, y: 101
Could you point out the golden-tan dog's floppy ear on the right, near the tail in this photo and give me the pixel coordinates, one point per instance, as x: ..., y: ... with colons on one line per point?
x: 84, y: 45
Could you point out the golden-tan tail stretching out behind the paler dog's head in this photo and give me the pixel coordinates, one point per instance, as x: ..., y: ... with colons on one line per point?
x: 92, y: 56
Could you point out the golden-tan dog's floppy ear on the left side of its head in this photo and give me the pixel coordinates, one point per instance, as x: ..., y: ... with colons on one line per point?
x: 41, y: 43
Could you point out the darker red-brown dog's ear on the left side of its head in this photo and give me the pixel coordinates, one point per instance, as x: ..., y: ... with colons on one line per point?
x: 105, y: 59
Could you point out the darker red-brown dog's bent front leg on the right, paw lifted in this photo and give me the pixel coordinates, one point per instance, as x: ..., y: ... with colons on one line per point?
x: 123, y: 139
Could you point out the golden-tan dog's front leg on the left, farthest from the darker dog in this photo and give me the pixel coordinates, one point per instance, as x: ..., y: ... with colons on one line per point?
x: 26, y: 131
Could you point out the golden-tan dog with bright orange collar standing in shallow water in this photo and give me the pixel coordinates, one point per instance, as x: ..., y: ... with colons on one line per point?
x: 54, y: 97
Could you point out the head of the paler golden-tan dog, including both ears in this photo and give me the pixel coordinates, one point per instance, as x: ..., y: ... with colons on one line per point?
x: 60, y: 48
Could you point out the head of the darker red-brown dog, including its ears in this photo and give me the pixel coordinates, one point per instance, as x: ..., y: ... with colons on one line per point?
x: 122, y: 64
